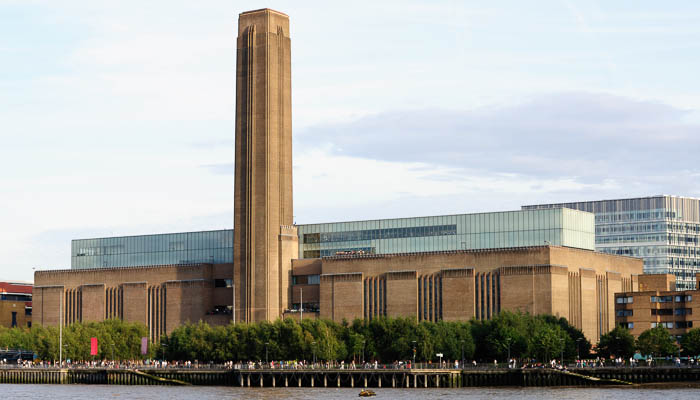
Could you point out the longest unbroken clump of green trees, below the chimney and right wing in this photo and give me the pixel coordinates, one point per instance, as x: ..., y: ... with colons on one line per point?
x: 383, y: 339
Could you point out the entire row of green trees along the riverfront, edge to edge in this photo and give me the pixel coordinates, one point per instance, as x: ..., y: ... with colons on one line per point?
x: 508, y: 334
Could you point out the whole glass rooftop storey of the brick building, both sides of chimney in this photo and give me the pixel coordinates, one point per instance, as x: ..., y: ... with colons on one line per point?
x: 561, y: 227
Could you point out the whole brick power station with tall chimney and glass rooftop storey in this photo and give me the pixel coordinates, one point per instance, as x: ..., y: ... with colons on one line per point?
x: 539, y: 261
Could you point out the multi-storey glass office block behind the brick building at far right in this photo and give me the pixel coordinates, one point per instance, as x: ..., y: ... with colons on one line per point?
x: 663, y: 230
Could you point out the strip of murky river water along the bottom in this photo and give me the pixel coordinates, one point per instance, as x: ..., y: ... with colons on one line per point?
x: 10, y: 391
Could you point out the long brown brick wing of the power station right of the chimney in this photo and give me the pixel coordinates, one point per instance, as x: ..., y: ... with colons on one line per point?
x: 459, y: 285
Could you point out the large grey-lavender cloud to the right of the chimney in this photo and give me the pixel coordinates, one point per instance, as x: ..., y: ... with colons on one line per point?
x: 585, y: 137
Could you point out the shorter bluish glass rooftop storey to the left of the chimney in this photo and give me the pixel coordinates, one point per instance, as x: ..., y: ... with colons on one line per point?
x: 147, y: 250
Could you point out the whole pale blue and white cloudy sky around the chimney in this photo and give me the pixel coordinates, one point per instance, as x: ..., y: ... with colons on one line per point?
x: 117, y: 118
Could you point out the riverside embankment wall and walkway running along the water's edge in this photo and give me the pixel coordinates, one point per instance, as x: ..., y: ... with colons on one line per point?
x: 355, y: 378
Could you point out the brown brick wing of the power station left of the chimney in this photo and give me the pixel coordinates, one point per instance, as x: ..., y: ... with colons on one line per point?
x: 162, y: 297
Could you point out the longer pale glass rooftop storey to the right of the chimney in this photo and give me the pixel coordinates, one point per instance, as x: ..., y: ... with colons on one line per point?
x: 560, y: 227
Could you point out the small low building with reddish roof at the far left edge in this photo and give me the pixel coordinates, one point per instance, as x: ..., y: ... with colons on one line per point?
x: 15, y: 304
